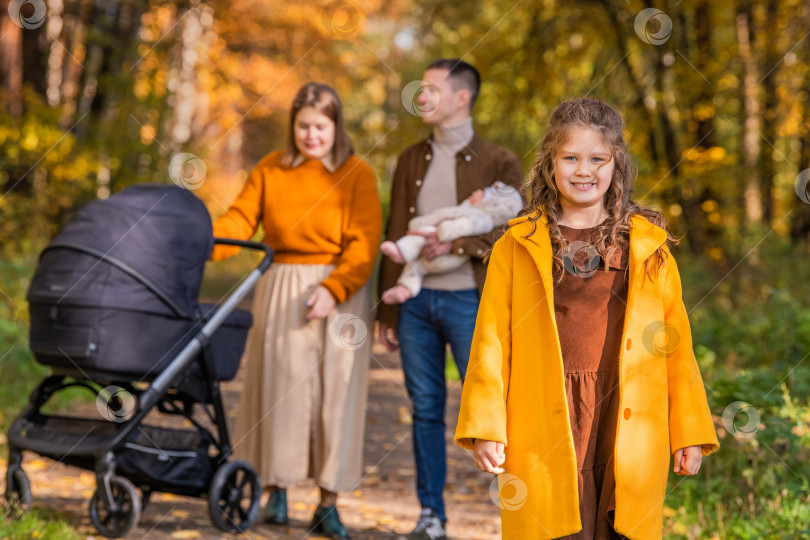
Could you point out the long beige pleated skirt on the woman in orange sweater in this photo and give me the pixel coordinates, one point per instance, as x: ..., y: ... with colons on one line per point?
x: 303, y: 406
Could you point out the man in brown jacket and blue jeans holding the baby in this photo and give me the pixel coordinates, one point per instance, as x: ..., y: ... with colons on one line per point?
x: 441, y: 171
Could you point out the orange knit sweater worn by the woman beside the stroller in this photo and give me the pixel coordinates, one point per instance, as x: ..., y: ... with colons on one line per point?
x: 310, y: 216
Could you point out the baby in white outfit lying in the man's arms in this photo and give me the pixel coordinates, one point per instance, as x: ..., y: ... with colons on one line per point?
x: 484, y: 210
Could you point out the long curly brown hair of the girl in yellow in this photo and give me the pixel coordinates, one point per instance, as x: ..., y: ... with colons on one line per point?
x: 614, y: 232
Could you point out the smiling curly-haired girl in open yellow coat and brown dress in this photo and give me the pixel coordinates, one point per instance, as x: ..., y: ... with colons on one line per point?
x: 582, y: 378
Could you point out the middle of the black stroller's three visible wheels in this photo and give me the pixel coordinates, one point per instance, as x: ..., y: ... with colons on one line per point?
x: 113, y: 523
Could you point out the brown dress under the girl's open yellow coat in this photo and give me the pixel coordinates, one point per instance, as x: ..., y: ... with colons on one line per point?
x: 589, y: 305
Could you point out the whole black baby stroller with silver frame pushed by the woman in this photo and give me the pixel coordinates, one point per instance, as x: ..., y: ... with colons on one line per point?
x: 114, y: 309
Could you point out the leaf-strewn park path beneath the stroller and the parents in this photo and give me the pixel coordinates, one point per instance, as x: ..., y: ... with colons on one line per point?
x: 383, y: 504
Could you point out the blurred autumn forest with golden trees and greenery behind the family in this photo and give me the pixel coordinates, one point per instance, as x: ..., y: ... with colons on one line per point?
x: 98, y: 94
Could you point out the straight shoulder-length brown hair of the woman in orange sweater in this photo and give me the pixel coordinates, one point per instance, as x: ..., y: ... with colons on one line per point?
x: 325, y: 100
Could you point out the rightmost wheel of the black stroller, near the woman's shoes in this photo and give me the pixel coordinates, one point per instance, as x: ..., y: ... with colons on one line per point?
x: 233, y: 499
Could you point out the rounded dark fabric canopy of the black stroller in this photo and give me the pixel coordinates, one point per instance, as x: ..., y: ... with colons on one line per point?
x: 159, y: 234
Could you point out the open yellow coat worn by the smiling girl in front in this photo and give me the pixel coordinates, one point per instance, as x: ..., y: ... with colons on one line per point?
x: 514, y: 391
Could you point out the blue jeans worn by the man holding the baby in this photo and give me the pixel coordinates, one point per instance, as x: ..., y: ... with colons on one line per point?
x: 427, y: 323
